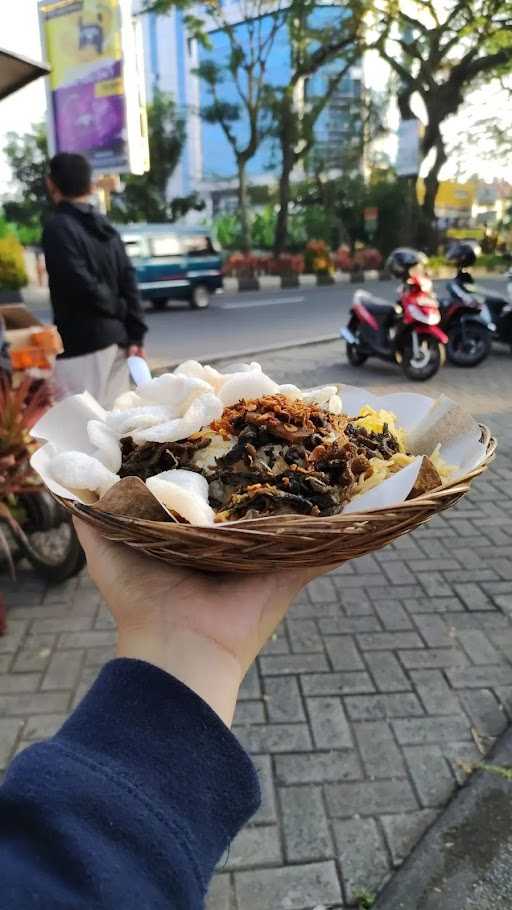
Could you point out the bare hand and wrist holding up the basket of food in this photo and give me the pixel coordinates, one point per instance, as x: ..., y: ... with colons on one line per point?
x: 205, y: 629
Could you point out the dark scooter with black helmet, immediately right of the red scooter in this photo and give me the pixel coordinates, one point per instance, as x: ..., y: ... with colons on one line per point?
x: 472, y: 316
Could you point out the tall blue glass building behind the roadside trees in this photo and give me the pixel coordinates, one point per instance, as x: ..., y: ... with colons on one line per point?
x: 208, y: 164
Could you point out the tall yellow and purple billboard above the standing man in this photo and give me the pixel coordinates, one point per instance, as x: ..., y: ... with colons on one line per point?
x: 94, y: 100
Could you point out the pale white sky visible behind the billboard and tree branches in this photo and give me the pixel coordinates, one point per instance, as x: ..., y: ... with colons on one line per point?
x: 19, y: 32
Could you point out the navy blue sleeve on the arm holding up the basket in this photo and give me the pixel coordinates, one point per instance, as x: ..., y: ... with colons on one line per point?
x: 130, y: 805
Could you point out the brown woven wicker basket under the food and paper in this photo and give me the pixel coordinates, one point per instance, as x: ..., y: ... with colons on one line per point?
x: 284, y: 541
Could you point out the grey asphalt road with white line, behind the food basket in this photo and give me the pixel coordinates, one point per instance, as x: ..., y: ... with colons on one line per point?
x: 237, y: 324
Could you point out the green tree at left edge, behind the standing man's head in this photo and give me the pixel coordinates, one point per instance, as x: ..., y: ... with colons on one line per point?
x: 27, y: 156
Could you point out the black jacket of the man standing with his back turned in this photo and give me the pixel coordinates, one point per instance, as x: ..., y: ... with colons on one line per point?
x: 93, y: 287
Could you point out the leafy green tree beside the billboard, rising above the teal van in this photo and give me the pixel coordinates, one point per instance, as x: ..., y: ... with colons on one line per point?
x: 144, y: 197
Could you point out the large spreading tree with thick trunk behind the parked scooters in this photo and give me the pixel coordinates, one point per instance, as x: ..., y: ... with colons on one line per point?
x: 439, y: 51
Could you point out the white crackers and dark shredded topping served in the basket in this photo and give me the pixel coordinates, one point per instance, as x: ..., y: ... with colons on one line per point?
x: 214, y: 447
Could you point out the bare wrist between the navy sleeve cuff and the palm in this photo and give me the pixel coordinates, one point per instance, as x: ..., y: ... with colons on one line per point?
x: 197, y: 661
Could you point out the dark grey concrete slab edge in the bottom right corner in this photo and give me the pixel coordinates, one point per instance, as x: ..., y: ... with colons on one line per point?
x: 463, y: 862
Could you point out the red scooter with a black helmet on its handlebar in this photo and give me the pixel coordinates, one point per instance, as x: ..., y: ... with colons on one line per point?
x: 406, y: 332
